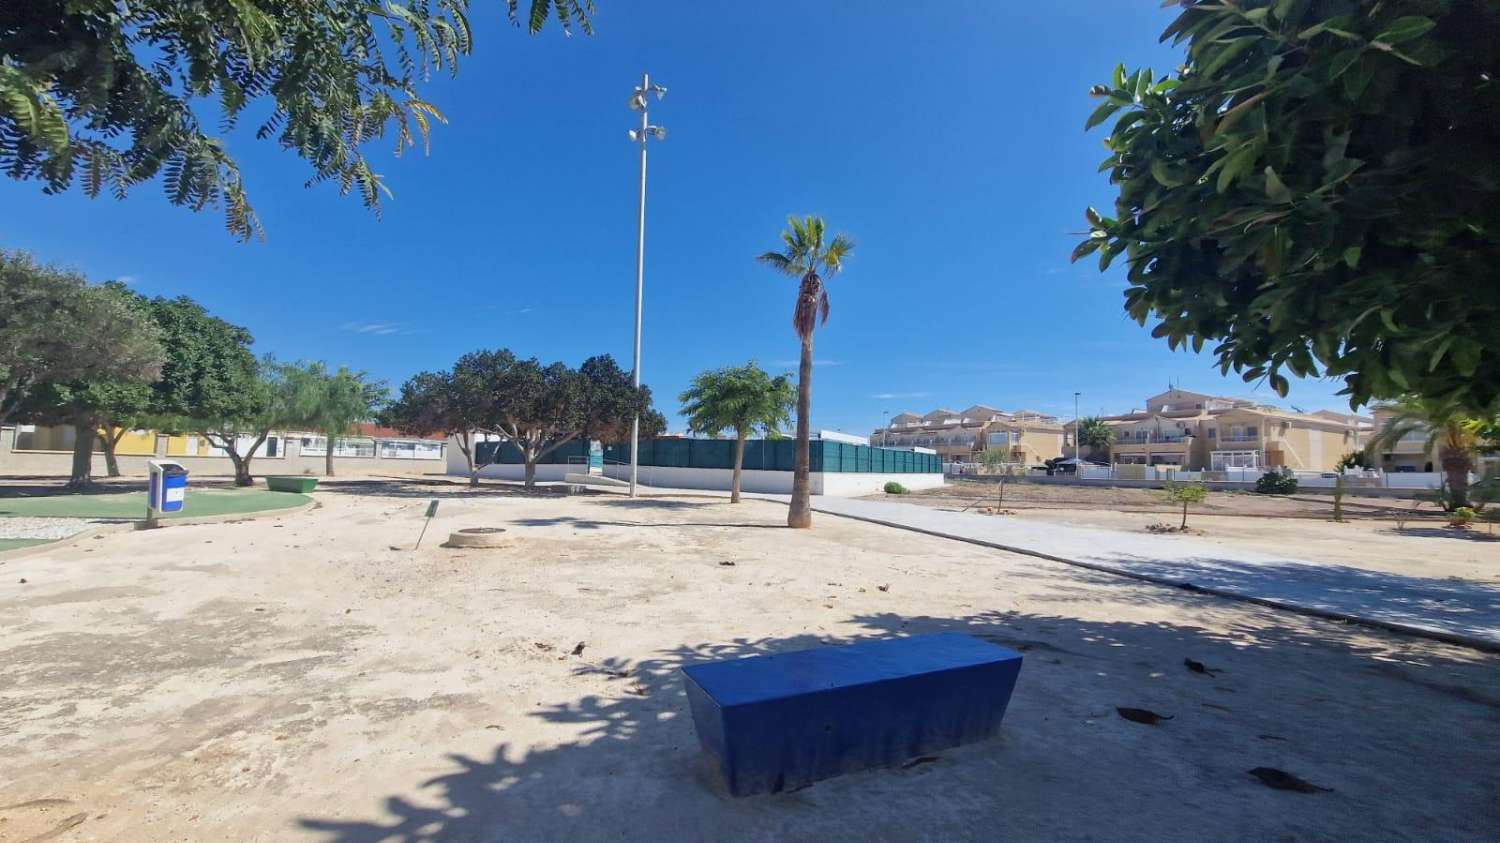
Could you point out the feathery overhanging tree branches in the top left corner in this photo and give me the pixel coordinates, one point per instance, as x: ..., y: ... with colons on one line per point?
x: 113, y: 92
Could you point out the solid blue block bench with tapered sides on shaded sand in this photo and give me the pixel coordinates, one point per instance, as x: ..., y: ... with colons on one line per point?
x: 782, y: 722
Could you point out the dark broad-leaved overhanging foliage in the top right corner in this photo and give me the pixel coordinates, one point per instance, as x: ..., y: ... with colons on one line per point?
x: 1316, y: 194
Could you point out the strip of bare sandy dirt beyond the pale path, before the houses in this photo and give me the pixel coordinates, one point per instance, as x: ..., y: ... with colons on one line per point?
x: 1301, y: 529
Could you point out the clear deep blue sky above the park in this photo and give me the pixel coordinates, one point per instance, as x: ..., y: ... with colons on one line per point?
x: 946, y: 139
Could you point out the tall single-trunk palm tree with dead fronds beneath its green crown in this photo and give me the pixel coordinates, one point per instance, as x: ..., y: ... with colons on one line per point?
x: 814, y: 262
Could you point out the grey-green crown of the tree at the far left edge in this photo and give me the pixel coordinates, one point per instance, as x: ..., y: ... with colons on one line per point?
x: 55, y: 328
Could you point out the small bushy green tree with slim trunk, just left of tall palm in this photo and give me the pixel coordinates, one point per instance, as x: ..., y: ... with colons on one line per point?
x: 742, y: 398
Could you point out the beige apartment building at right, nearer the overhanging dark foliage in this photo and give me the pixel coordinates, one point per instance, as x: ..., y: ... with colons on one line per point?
x: 1196, y: 431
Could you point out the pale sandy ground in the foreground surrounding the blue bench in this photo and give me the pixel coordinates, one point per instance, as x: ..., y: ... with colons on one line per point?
x: 296, y: 679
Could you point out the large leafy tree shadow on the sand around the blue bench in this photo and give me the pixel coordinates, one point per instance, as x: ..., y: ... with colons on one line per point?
x: 1364, y: 715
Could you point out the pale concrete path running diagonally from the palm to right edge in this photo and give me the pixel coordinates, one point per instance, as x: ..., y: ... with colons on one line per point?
x: 1448, y: 610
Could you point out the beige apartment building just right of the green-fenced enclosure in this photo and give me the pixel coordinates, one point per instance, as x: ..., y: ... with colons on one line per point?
x: 964, y: 436
